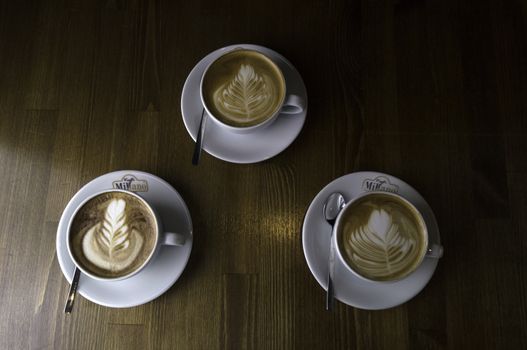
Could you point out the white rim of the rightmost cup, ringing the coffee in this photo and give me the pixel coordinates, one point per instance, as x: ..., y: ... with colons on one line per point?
x: 338, y: 248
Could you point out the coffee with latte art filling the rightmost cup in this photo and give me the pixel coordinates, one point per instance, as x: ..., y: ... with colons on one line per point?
x: 382, y: 237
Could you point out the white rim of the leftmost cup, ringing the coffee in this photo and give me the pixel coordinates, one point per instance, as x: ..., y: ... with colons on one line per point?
x: 132, y: 273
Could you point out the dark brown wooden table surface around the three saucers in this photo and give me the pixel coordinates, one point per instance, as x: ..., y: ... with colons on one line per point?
x: 433, y: 92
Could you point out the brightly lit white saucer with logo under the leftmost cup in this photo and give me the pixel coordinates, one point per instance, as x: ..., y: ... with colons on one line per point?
x: 161, y: 273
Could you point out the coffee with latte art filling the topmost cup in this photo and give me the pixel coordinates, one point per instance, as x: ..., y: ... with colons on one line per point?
x: 243, y: 88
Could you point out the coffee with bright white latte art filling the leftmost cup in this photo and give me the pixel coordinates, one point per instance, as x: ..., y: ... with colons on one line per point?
x: 113, y: 234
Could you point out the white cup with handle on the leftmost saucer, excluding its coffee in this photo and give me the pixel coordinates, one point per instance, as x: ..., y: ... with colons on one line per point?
x: 162, y: 237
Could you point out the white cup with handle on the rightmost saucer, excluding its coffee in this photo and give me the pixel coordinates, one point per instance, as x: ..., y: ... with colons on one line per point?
x: 433, y: 249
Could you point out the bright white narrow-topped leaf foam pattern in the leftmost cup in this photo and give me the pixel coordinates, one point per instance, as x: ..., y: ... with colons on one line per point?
x: 111, y: 244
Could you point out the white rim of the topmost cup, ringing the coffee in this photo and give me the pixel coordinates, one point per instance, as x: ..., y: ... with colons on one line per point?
x: 243, y: 129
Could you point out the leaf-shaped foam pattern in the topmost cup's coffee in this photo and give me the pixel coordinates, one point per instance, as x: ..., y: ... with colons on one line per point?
x: 247, y: 97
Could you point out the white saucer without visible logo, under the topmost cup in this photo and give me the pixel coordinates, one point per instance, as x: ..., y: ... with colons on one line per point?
x: 243, y: 148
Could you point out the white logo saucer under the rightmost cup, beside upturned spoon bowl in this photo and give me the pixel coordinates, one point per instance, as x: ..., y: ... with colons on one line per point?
x: 348, y: 288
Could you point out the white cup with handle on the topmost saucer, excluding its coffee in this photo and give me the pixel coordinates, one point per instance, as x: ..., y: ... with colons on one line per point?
x: 290, y: 104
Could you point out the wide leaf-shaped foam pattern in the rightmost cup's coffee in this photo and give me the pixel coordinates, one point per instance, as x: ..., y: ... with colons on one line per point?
x: 382, y: 247
